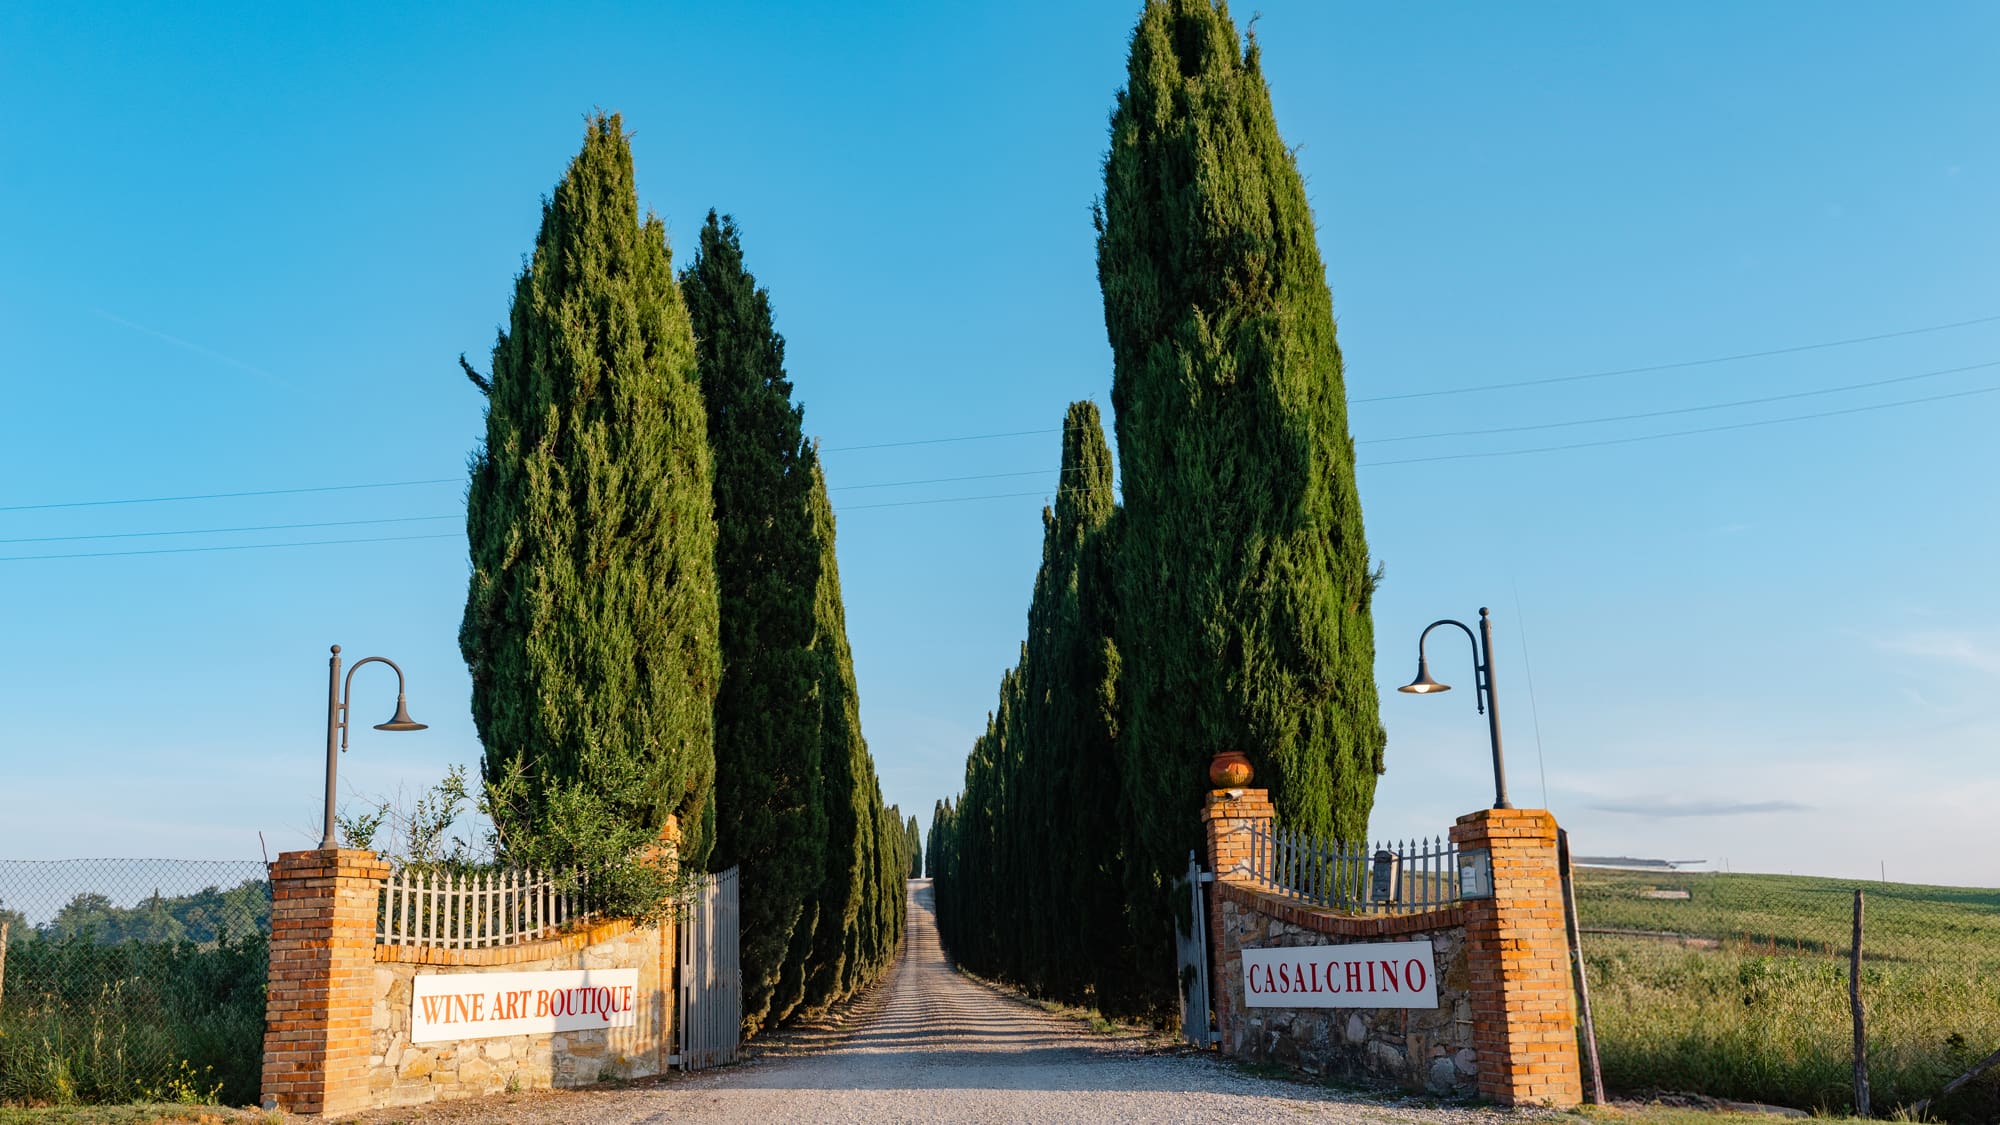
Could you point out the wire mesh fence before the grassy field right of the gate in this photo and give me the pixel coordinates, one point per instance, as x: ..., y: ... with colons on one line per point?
x: 1739, y: 986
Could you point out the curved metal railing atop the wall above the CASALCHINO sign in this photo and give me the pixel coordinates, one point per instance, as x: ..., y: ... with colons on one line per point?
x: 1391, y: 878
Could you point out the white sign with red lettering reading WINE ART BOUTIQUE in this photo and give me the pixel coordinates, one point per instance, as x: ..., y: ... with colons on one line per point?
x: 483, y: 1006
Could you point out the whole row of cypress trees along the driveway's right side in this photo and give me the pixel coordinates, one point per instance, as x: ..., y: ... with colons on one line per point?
x: 1225, y: 604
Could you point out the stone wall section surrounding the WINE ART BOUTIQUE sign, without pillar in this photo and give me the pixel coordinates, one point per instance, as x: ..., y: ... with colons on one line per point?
x: 411, y: 1074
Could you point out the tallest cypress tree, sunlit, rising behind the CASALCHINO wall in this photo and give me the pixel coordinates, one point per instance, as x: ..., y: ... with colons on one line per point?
x: 1245, y: 580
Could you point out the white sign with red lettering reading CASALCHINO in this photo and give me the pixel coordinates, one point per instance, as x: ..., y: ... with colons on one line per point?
x: 1385, y: 974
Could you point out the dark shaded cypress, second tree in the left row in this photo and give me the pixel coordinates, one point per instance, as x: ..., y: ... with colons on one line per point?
x: 771, y: 816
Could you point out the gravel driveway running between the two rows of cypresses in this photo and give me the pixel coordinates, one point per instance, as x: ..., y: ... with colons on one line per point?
x: 935, y: 1048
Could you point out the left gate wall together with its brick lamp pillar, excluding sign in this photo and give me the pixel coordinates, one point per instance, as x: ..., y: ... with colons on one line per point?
x: 339, y: 1006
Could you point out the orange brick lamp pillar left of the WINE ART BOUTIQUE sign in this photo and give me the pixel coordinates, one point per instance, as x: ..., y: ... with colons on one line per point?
x: 317, y: 1018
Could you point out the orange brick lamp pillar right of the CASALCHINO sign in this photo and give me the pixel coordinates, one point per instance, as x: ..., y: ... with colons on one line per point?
x: 1517, y: 948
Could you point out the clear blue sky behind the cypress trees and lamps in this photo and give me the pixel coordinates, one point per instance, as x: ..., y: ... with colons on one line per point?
x: 249, y: 243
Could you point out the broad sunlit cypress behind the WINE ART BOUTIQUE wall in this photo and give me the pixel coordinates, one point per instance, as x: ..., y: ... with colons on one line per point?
x: 591, y: 618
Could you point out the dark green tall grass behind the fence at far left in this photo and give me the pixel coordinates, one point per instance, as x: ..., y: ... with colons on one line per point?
x: 85, y: 1022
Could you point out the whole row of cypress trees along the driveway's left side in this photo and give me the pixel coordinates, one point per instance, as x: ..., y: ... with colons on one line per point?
x: 655, y: 624
